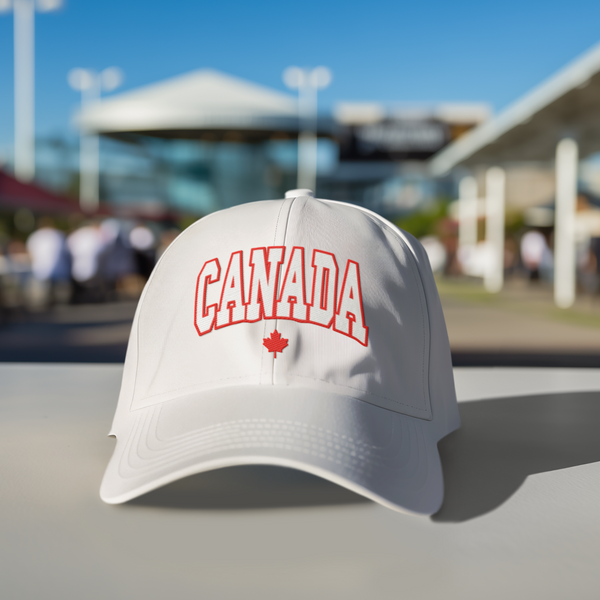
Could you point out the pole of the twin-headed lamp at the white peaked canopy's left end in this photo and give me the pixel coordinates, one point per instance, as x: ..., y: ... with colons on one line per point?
x: 89, y: 154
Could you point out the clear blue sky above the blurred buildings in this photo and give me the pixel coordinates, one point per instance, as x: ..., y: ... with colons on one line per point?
x: 378, y: 50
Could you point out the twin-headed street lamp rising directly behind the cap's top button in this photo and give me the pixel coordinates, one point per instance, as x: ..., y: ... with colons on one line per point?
x: 307, y: 82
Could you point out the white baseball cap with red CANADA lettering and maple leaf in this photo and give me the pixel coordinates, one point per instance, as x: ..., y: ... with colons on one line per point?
x: 300, y: 332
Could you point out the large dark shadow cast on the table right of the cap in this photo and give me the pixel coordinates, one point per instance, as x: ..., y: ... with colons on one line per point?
x: 503, y: 441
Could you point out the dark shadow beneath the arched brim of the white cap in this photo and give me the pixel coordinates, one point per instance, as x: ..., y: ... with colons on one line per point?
x: 248, y: 487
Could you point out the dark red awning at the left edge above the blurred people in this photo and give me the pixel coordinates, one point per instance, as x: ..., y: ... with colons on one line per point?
x: 15, y: 195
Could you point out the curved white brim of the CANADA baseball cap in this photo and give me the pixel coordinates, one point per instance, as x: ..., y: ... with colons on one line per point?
x: 388, y: 457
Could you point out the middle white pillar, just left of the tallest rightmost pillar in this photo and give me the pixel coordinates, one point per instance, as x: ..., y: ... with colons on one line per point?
x: 495, y: 180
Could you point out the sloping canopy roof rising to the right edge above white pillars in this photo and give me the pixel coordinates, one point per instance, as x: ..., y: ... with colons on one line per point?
x: 566, y: 104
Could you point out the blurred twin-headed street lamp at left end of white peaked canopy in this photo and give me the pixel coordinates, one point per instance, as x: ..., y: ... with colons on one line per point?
x: 91, y: 85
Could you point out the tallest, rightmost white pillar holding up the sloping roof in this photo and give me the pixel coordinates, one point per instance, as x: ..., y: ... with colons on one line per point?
x: 564, y: 222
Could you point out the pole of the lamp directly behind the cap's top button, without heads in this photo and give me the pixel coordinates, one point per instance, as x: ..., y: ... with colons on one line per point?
x: 307, y: 139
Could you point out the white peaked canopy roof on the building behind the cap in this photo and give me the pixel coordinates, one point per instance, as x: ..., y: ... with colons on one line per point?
x: 202, y: 103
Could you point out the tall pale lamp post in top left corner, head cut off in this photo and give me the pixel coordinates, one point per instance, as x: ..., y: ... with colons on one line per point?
x: 24, y: 49
